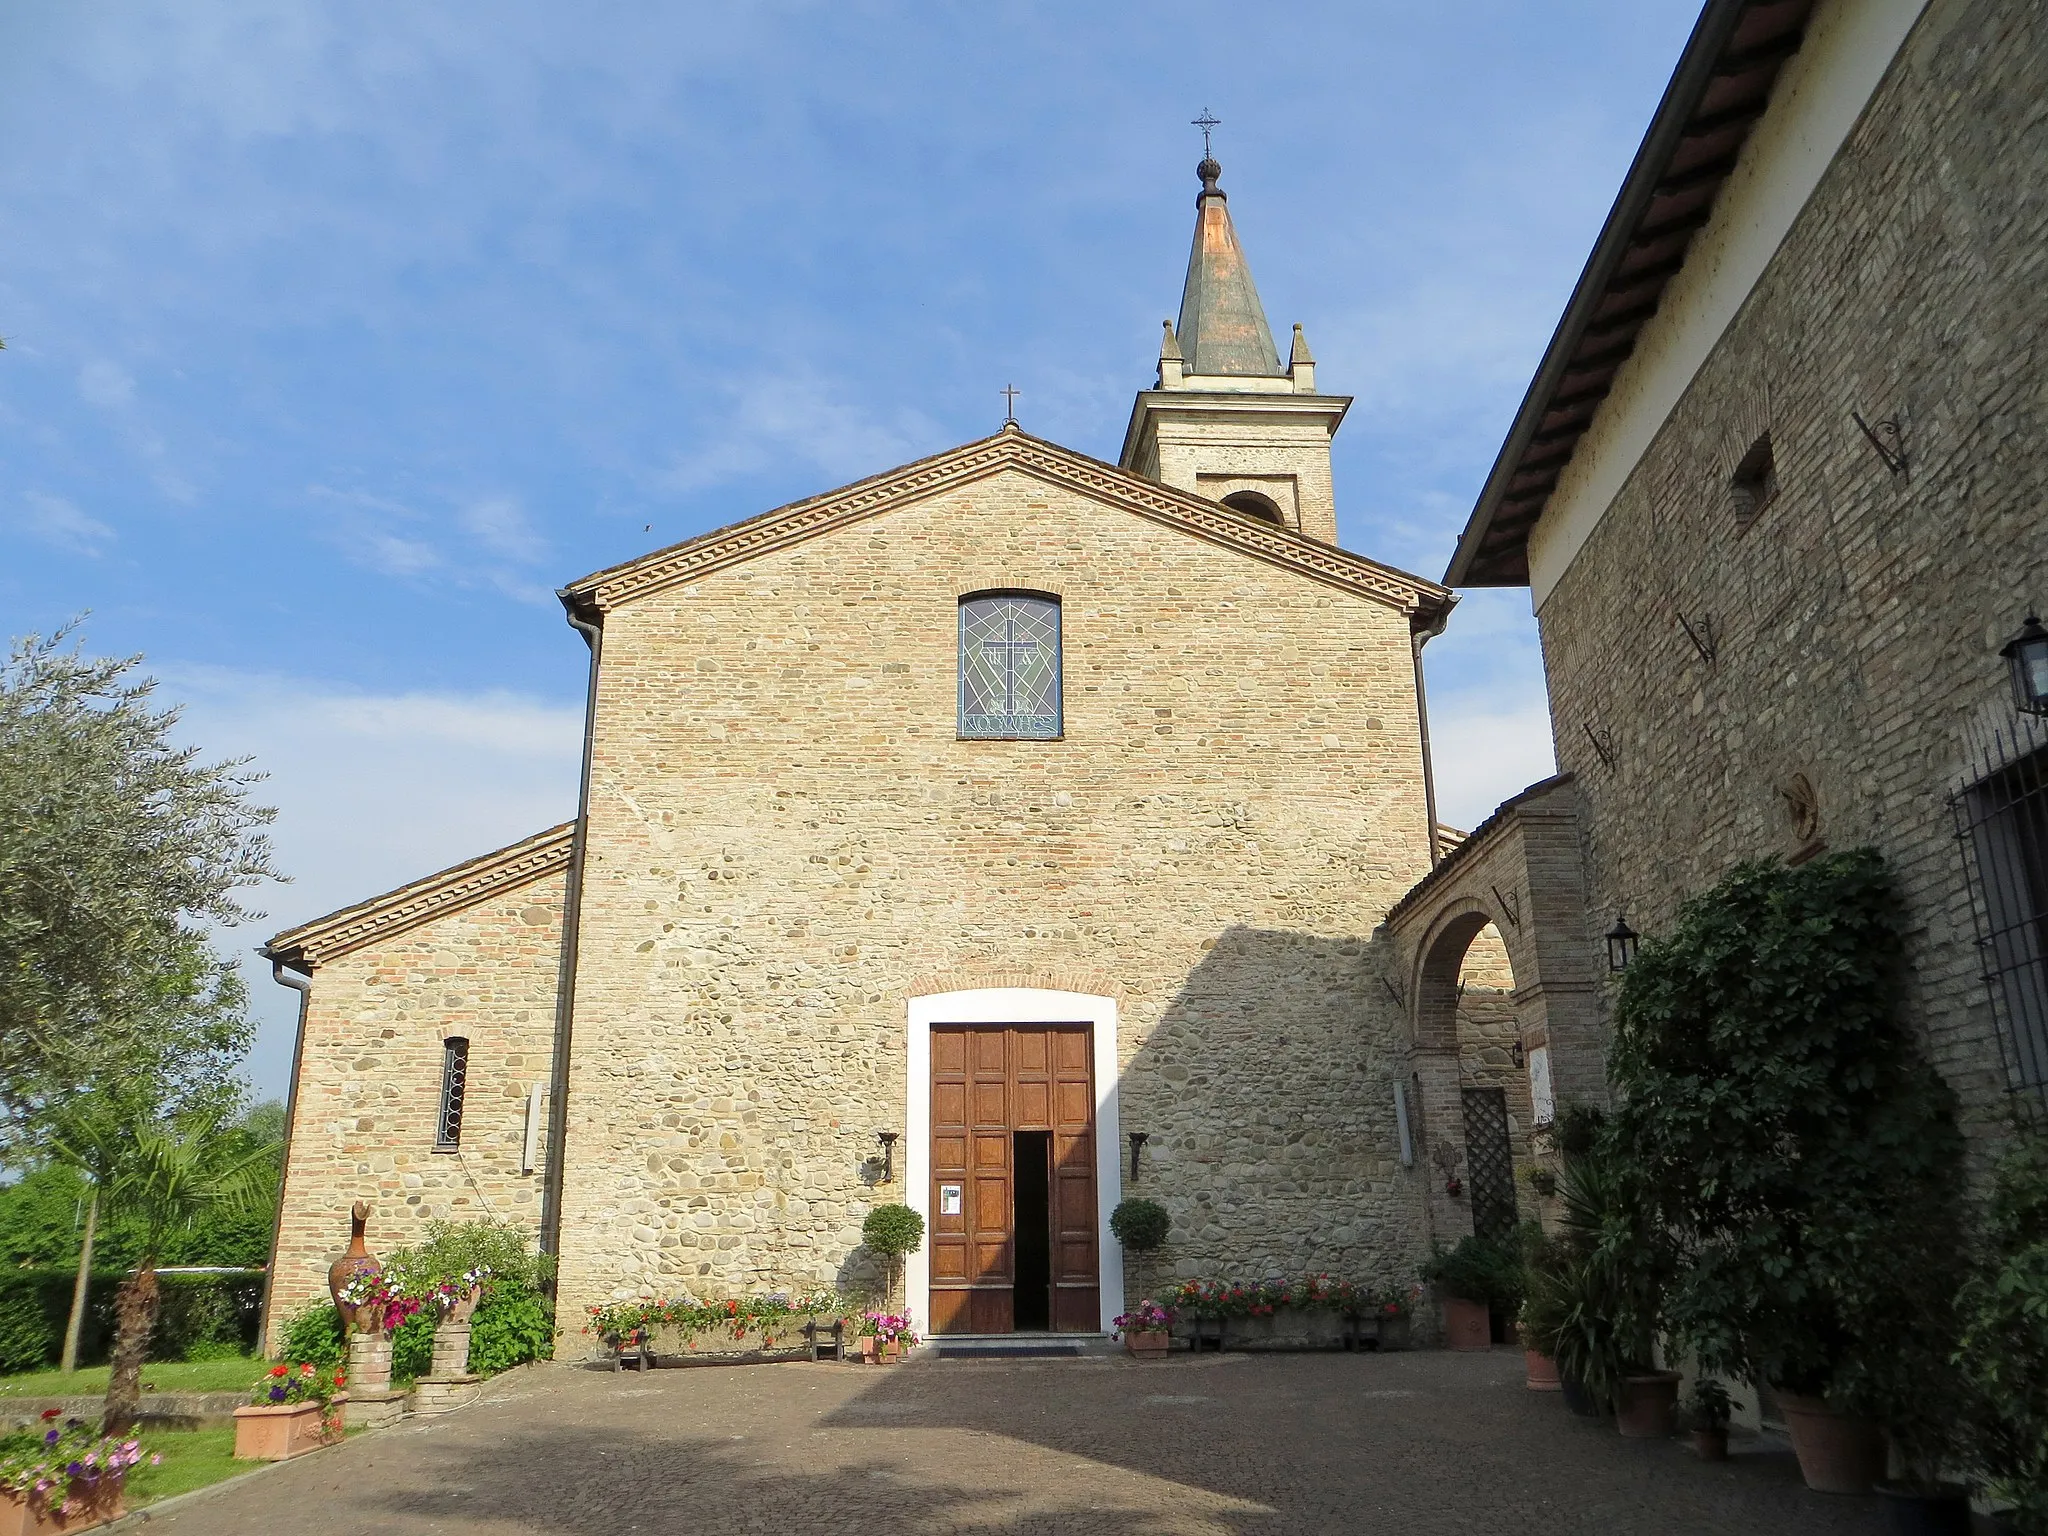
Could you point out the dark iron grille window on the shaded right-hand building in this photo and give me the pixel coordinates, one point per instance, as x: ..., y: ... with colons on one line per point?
x: 2004, y: 828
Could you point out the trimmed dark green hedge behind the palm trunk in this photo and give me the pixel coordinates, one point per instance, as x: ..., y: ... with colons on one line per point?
x: 196, y: 1310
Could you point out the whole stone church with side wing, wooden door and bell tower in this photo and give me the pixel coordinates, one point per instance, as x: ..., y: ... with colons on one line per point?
x: 1005, y: 835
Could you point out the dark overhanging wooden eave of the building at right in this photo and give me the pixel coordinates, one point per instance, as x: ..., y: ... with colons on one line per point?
x: 1721, y: 87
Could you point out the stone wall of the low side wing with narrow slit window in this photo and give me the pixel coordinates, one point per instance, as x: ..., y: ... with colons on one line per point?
x: 370, y: 1084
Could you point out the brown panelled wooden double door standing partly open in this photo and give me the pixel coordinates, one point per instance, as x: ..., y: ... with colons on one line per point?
x: 1015, y: 1181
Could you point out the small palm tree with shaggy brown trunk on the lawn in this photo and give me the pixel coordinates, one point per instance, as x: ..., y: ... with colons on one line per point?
x: 175, y: 1175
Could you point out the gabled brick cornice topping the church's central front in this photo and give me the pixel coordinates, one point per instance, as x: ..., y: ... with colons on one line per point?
x: 792, y: 525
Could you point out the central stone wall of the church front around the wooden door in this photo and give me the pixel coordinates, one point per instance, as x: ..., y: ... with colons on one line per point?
x: 785, y: 835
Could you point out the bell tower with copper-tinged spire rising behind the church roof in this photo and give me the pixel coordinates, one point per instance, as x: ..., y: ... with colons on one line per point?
x: 1228, y: 419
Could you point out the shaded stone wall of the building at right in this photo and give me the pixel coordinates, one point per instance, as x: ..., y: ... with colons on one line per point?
x: 1859, y: 617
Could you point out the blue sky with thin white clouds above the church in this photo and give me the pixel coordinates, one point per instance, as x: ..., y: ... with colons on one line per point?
x: 339, y: 337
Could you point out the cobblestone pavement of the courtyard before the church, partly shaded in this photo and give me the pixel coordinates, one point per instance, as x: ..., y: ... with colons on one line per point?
x: 1189, y: 1447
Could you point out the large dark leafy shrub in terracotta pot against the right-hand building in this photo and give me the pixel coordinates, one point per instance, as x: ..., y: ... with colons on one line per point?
x: 1781, y: 1127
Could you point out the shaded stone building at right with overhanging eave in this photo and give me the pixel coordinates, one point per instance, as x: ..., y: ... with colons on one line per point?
x: 1781, y: 497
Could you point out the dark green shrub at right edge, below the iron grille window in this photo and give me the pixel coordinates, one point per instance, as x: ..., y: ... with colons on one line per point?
x: 2004, y: 1347
